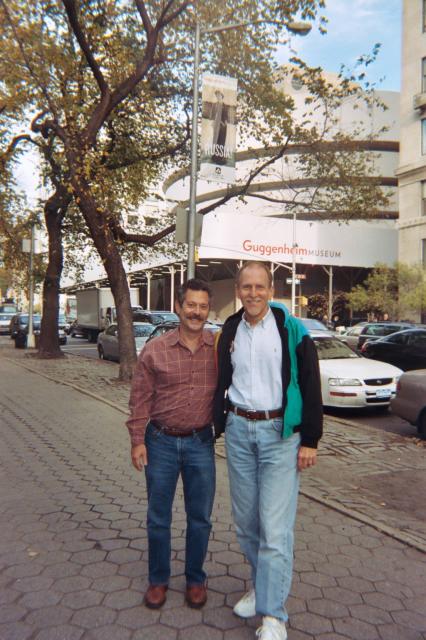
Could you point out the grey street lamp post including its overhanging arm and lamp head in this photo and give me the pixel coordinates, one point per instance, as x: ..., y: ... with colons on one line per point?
x: 301, y: 28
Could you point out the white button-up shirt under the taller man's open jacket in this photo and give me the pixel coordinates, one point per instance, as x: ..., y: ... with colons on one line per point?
x: 256, y: 356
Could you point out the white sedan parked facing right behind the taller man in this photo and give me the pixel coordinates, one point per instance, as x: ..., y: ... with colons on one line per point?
x: 352, y: 381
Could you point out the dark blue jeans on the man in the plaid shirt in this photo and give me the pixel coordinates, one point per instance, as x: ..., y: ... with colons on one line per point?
x: 169, y: 456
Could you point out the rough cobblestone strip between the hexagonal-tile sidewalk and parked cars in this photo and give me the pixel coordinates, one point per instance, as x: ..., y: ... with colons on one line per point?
x: 363, y: 472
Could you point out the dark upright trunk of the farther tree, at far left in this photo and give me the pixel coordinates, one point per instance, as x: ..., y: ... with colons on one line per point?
x: 54, y: 212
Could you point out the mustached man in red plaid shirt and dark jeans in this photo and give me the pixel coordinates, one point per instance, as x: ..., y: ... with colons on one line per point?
x: 171, y: 433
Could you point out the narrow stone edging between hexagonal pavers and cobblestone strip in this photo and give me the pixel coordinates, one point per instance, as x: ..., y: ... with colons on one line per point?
x: 405, y: 538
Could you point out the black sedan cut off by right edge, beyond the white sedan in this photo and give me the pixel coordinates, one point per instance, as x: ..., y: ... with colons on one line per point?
x: 404, y: 349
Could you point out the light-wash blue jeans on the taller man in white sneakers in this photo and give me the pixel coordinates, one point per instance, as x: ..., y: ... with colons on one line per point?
x: 264, y: 485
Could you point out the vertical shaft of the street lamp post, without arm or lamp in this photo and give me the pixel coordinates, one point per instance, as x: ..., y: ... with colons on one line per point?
x: 194, y: 158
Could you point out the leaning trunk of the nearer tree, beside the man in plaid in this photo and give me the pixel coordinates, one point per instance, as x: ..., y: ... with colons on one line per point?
x: 105, y: 244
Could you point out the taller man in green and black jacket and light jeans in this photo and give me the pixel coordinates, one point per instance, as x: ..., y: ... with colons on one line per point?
x: 269, y: 401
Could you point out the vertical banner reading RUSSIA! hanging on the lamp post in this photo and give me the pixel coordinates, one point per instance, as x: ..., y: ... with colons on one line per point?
x: 218, y: 128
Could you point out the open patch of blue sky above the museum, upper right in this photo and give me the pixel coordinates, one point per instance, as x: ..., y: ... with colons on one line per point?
x: 354, y: 27
